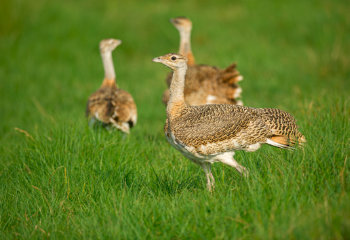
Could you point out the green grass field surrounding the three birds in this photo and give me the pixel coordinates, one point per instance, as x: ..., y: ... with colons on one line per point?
x: 59, y: 179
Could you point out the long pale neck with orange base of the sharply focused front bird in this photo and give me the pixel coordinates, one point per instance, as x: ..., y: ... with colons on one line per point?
x: 177, y: 100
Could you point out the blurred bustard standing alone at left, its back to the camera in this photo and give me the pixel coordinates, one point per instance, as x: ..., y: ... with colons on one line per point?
x: 110, y: 105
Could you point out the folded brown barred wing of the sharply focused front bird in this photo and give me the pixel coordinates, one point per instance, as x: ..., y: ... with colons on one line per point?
x: 206, y: 124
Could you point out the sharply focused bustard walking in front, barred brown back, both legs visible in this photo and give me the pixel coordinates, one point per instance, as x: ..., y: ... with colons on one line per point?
x: 213, y: 132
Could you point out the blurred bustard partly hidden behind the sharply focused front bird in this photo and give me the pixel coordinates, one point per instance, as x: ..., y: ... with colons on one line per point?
x: 204, y: 84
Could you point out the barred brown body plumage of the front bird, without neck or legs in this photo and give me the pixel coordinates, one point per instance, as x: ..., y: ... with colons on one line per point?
x: 229, y: 127
